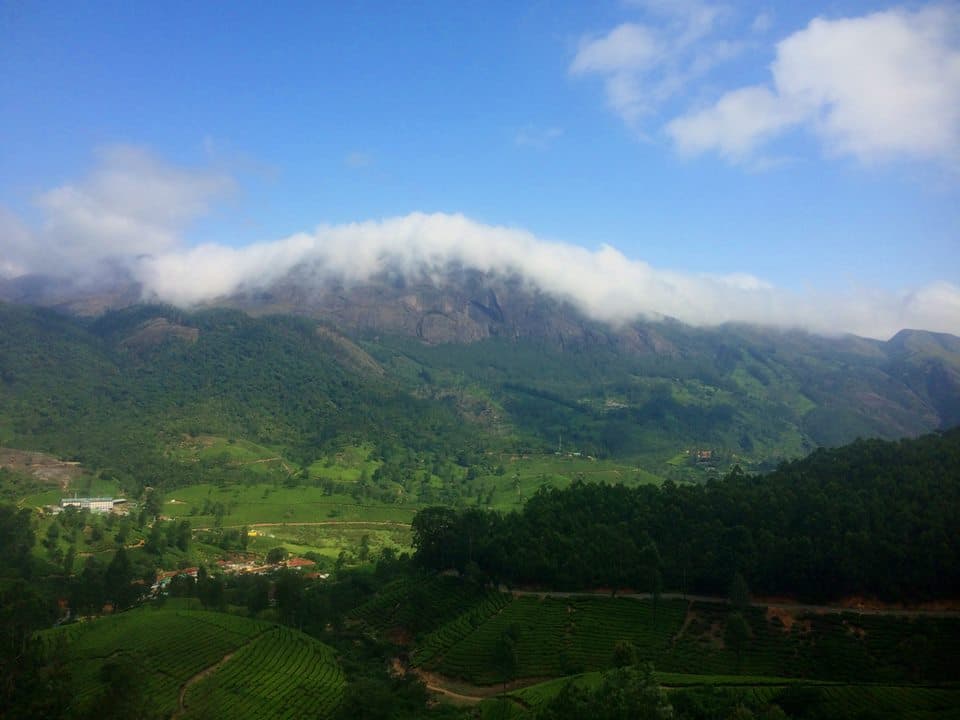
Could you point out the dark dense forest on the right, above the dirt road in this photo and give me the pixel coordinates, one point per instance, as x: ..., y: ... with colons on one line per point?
x: 876, y: 518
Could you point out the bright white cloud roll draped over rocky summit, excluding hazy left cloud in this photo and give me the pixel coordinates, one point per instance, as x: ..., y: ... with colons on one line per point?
x: 603, y: 283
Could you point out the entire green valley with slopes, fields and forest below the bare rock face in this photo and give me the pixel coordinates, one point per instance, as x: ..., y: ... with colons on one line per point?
x: 491, y: 529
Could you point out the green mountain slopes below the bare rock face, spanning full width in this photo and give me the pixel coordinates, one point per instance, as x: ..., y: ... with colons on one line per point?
x: 158, y: 396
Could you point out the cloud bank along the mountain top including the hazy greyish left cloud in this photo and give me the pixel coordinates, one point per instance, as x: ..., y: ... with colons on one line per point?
x: 131, y: 211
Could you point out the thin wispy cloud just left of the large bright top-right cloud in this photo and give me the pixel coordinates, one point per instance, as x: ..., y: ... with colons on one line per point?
x: 644, y: 65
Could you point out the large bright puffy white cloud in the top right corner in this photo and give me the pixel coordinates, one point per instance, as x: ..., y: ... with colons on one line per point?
x: 875, y: 87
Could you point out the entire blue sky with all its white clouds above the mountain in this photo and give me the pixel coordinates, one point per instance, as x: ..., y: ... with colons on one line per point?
x: 793, y: 164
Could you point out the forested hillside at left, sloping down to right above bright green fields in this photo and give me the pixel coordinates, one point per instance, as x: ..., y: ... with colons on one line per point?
x: 118, y: 393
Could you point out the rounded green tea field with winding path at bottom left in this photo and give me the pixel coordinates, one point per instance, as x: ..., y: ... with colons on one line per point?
x: 166, y: 650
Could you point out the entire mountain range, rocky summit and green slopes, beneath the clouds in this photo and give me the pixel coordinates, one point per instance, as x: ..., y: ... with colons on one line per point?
x: 485, y: 361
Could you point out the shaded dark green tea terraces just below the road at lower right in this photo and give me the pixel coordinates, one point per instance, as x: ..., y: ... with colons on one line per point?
x: 561, y: 636
